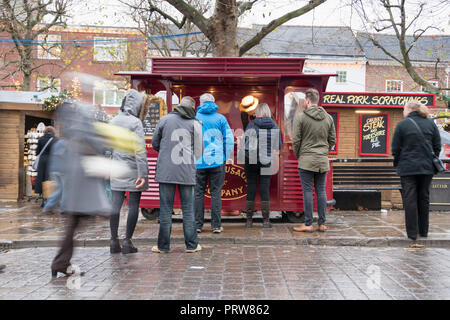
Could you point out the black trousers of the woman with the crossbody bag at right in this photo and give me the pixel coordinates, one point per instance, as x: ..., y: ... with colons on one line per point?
x: 416, y: 202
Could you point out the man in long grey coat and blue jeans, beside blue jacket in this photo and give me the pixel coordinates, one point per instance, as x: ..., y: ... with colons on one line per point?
x: 179, y: 141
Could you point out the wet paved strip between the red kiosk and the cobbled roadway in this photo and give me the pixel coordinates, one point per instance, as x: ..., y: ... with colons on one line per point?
x: 24, y: 225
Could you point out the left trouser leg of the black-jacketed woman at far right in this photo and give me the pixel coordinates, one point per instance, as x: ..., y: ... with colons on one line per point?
x: 409, y: 197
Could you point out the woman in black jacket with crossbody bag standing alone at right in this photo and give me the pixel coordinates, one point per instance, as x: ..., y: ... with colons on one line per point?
x: 415, y: 138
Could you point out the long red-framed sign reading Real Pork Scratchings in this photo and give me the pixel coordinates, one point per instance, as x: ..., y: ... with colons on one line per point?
x: 366, y: 99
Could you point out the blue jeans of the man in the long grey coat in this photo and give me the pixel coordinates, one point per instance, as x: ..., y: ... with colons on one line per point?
x: 166, y: 198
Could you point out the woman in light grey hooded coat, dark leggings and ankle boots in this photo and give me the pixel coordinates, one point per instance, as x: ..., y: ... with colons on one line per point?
x: 133, y: 110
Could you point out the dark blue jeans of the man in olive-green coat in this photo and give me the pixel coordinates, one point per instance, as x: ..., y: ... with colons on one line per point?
x: 306, y: 178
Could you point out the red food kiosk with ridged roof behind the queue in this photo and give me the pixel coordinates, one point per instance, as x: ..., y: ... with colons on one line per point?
x: 229, y: 80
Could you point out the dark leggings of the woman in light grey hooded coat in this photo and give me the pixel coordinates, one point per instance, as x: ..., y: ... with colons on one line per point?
x: 133, y: 212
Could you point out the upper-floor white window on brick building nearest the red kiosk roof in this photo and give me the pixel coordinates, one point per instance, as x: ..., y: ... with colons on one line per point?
x: 109, y: 49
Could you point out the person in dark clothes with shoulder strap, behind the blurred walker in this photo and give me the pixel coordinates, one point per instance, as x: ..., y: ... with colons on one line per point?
x: 43, y: 173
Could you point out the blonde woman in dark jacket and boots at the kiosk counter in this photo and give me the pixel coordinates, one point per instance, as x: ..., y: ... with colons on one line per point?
x: 262, y: 140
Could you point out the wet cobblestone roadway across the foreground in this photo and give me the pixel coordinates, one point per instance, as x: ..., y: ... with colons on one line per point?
x: 233, y: 272
